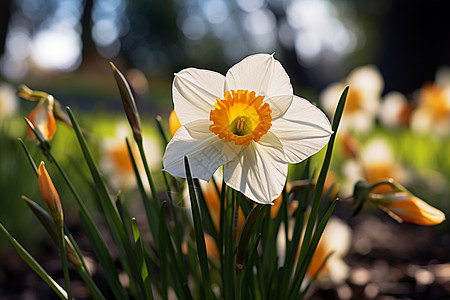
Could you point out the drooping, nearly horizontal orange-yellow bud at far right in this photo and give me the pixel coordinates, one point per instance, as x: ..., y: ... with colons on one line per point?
x: 403, y: 206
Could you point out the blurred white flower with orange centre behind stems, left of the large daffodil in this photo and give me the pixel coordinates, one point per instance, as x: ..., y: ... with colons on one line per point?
x: 116, y: 162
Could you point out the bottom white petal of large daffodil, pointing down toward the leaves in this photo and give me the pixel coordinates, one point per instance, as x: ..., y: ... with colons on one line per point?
x: 260, y: 171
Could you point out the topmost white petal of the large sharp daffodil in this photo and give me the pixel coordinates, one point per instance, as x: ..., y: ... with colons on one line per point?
x: 260, y: 73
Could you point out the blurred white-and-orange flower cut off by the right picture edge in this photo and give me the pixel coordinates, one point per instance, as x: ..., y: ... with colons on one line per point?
x: 433, y: 112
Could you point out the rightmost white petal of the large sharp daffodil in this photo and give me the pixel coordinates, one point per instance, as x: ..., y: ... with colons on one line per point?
x: 303, y: 130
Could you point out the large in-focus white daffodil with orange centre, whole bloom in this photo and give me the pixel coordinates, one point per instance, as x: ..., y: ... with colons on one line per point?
x: 249, y: 121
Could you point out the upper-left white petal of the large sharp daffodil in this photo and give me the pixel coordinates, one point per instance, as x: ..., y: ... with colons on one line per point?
x: 194, y: 93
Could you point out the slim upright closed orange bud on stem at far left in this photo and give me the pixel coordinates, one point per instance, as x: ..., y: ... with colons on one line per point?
x: 50, y: 195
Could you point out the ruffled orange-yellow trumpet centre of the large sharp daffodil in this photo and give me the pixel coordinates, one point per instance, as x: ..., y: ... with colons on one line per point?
x: 241, y: 117
